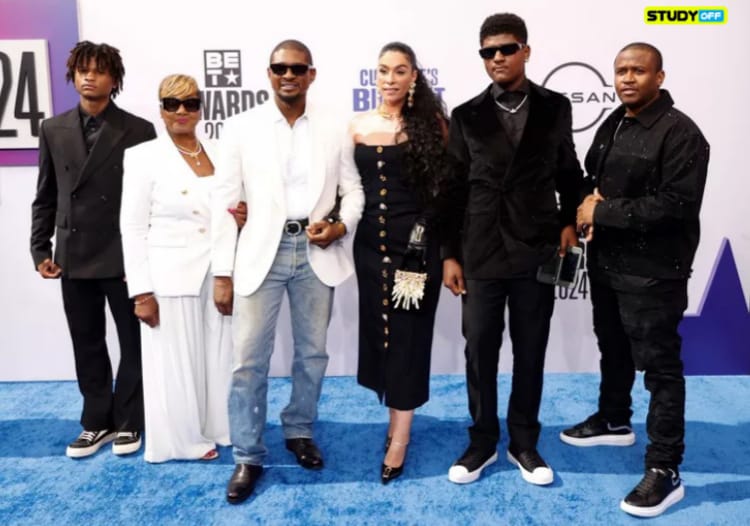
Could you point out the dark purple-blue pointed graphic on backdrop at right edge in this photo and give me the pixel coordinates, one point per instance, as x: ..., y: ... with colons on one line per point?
x: 716, y: 340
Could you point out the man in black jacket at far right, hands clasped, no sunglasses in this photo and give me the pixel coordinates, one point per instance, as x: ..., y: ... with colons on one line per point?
x: 647, y: 169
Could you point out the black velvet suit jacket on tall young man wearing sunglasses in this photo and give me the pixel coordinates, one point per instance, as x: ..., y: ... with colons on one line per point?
x: 503, y: 215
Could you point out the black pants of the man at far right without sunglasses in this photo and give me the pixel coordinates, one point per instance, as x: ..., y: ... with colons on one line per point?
x: 636, y: 326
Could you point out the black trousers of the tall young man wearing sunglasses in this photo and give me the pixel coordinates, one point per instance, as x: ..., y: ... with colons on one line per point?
x: 530, y: 305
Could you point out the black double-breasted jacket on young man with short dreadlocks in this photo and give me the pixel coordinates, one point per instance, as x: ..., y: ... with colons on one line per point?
x: 78, y: 194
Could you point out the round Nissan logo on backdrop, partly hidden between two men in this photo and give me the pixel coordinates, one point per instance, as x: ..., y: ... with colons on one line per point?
x: 592, y: 98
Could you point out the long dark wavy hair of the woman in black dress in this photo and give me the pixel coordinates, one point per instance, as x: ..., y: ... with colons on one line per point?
x: 425, y: 155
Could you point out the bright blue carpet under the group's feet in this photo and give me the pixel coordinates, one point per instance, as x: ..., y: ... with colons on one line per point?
x: 39, y: 485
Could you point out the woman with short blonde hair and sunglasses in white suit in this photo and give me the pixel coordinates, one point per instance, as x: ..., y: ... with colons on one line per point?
x: 166, y: 234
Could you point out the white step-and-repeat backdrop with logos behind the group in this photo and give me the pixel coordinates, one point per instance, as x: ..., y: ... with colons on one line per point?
x: 226, y: 46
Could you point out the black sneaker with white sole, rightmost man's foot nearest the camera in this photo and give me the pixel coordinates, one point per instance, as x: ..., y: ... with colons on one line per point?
x: 657, y: 491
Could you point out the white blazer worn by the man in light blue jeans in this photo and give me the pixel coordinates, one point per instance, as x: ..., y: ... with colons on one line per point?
x: 249, y: 160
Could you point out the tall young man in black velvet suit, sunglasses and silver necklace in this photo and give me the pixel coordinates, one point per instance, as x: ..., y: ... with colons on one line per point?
x: 514, y: 149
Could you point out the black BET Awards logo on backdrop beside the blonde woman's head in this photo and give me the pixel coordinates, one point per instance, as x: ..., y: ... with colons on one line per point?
x: 223, y: 97
